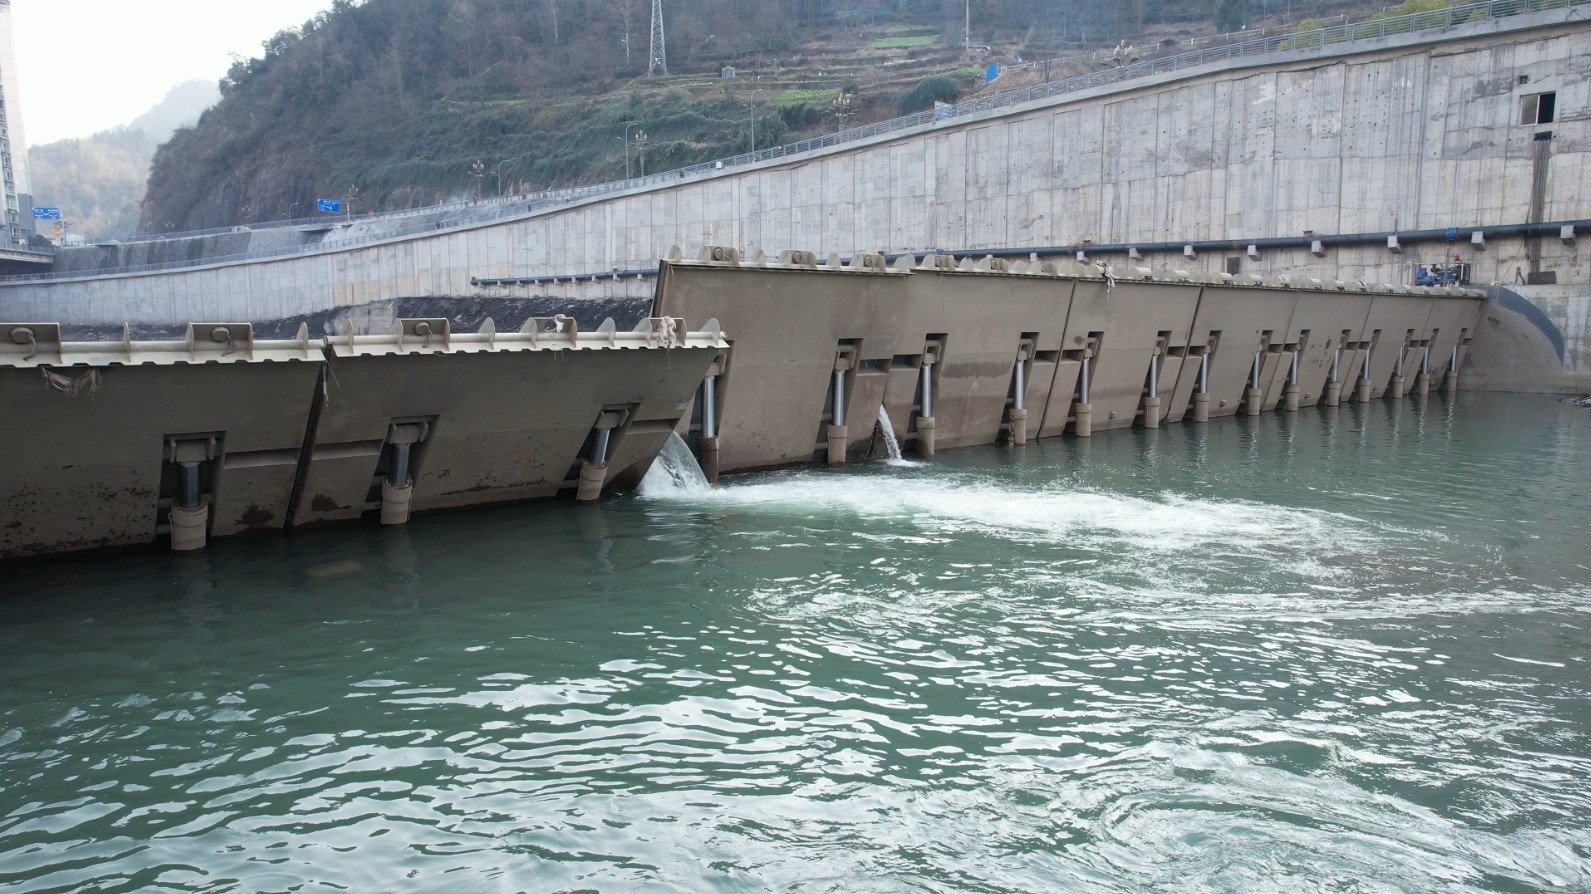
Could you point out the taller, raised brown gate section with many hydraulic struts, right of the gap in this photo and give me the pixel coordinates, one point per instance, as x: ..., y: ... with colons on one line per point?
x: 962, y: 352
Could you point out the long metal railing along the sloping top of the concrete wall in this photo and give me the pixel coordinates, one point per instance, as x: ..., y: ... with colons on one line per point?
x: 418, y: 222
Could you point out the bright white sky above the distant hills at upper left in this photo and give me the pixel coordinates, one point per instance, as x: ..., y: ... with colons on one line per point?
x: 87, y: 66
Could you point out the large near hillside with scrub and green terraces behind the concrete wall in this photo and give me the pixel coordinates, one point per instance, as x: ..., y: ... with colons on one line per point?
x: 395, y: 104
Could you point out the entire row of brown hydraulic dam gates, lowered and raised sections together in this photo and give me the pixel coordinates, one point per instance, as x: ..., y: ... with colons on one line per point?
x: 216, y: 435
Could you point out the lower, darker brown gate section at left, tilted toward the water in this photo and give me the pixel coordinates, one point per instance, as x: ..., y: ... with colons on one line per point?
x: 126, y: 443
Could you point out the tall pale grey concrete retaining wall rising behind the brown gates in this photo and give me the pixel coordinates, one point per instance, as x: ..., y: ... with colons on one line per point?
x: 1242, y: 166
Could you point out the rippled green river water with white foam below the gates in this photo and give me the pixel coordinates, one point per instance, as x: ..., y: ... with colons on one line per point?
x: 1337, y: 651
